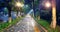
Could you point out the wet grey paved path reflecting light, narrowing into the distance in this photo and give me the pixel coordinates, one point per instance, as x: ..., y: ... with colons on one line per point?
x: 27, y: 24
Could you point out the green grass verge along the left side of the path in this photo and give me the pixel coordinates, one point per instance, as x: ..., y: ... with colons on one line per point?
x: 5, y: 25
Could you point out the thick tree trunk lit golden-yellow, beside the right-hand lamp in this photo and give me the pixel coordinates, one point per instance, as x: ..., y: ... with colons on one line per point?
x: 53, y: 23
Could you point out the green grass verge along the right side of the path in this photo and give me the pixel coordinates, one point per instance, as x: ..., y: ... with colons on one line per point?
x: 46, y: 25
